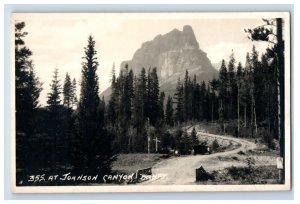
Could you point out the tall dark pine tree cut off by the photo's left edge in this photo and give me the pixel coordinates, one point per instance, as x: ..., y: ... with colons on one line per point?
x: 28, y: 88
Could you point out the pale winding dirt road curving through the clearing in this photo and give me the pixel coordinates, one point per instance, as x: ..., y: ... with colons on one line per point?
x: 181, y: 170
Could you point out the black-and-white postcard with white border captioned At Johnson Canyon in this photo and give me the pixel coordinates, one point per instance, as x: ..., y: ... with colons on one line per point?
x: 149, y: 102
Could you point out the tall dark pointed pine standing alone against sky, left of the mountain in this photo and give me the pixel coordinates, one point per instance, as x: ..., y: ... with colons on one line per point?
x: 93, y: 145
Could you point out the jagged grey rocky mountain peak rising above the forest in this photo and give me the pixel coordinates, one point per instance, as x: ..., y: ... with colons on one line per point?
x: 172, y: 54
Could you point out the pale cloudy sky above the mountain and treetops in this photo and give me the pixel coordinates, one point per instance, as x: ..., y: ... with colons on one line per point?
x: 58, y: 40
